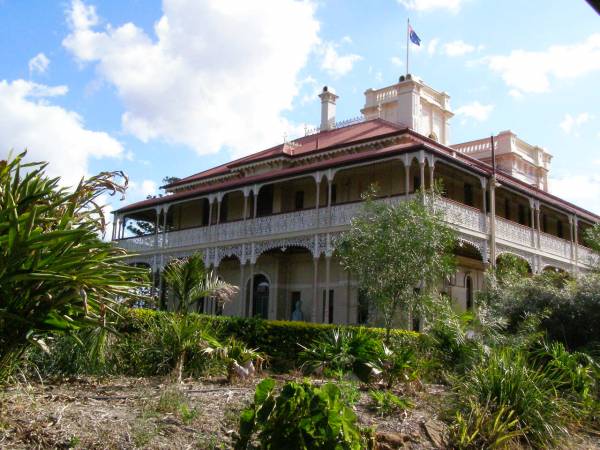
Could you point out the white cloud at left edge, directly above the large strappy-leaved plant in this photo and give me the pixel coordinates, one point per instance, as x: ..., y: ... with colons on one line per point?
x: 49, y: 132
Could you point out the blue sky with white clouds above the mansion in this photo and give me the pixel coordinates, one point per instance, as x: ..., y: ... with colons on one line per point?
x: 172, y: 87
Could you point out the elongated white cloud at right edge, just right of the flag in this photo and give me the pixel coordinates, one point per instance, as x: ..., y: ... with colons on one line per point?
x: 533, y: 71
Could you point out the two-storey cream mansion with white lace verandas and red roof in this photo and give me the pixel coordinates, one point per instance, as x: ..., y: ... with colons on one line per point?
x: 269, y: 222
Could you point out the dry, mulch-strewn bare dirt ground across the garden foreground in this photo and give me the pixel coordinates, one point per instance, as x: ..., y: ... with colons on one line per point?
x: 150, y: 413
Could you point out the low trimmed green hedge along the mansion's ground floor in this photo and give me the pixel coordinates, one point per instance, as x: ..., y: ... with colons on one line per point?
x: 277, y: 339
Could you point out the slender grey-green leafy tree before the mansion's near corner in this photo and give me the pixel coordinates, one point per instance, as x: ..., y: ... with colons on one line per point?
x: 399, y: 253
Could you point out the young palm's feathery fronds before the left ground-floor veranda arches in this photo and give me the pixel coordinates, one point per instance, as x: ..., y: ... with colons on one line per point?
x: 190, y: 282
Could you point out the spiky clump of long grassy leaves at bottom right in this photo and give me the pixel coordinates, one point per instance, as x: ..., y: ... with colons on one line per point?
x: 505, y: 388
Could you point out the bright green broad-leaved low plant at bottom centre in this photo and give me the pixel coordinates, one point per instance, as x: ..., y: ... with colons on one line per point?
x: 302, y: 416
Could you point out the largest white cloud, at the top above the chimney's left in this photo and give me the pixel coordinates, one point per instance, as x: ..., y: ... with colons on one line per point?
x: 212, y: 74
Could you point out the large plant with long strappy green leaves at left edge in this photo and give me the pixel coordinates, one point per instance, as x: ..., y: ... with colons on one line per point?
x: 56, y: 273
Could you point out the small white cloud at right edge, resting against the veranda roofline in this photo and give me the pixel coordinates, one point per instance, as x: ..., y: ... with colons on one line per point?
x: 582, y: 190
